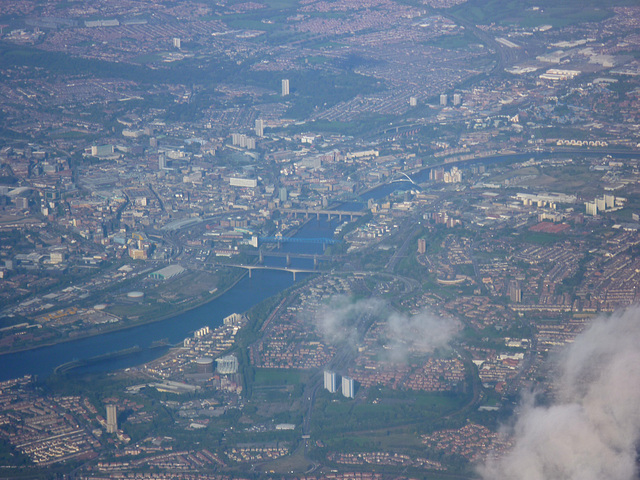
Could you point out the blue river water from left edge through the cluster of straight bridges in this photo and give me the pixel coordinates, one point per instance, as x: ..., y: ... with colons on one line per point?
x: 245, y: 294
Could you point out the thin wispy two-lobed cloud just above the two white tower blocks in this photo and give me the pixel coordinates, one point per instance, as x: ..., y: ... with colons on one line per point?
x: 345, y: 320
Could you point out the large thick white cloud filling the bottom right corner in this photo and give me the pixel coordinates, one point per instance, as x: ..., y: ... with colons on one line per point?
x: 592, y: 429
